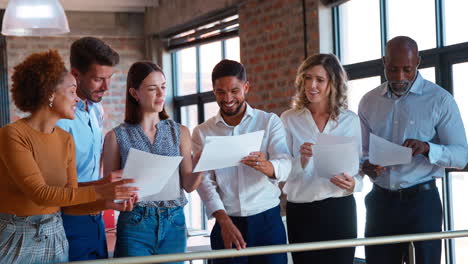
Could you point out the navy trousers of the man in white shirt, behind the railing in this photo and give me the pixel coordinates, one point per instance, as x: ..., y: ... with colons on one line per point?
x: 262, y: 229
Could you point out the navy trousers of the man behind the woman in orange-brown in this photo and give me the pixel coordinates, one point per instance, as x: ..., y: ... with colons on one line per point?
x: 86, y: 236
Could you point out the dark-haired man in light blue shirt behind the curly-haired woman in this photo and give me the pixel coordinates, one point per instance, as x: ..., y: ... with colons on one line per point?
x: 92, y: 64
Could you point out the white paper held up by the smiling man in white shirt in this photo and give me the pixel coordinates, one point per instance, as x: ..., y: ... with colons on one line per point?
x: 227, y: 151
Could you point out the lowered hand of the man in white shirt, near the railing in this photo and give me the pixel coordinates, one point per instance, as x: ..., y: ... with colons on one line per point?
x: 229, y: 232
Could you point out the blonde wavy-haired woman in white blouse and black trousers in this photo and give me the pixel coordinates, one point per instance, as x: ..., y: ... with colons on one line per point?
x: 319, y: 208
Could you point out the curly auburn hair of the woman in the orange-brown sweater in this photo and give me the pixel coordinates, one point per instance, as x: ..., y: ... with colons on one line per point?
x: 35, y: 79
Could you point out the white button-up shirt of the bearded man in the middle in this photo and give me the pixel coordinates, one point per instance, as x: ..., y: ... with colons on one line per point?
x: 242, y: 190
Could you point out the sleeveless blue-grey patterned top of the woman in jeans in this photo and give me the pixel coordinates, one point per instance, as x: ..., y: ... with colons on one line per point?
x: 166, y: 143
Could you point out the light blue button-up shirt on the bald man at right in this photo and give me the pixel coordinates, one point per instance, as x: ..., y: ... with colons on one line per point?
x: 427, y: 113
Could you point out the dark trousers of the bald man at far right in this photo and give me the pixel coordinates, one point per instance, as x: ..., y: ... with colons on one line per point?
x: 420, y: 213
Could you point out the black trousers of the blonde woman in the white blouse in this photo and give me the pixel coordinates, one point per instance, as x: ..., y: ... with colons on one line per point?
x: 329, y: 219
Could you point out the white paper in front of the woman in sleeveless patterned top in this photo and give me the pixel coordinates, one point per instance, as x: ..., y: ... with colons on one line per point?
x: 156, y: 176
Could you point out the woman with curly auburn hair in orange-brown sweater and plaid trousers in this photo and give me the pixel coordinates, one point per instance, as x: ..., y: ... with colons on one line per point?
x: 37, y: 165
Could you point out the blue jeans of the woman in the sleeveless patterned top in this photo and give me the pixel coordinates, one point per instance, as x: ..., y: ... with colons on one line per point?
x: 151, y: 231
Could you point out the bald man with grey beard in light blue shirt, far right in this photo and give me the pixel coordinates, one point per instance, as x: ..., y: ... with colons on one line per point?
x: 413, y: 112
